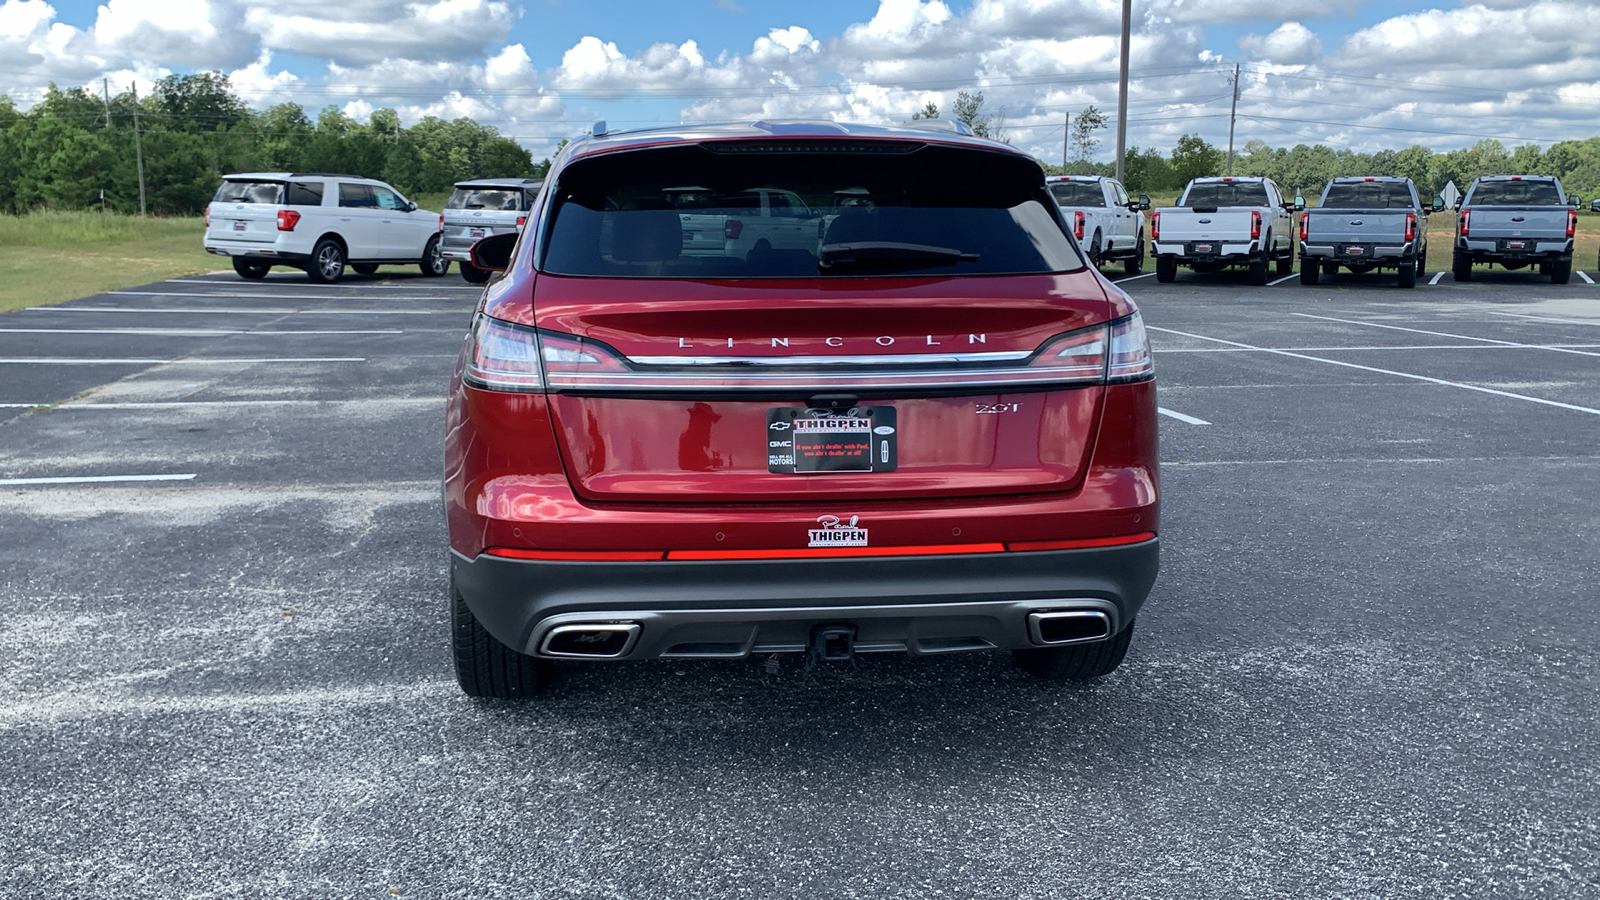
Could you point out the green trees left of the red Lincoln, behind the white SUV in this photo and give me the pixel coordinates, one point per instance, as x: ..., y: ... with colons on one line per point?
x: 76, y: 148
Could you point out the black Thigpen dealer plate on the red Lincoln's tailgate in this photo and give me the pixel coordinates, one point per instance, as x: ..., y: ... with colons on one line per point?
x: 814, y: 441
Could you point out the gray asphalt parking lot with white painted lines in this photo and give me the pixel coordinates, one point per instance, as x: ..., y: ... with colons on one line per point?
x: 1367, y: 669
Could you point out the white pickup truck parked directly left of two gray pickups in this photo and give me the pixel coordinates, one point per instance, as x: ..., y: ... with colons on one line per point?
x: 1226, y: 222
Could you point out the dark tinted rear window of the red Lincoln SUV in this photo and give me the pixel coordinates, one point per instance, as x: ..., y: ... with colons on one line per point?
x: 695, y: 212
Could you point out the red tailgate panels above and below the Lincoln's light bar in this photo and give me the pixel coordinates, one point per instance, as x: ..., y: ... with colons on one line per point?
x: 844, y: 355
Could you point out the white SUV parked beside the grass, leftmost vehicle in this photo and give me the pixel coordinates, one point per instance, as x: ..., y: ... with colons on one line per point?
x: 321, y: 223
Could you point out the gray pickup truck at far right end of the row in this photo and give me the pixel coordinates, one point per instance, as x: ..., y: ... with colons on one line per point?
x: 1516, y: 222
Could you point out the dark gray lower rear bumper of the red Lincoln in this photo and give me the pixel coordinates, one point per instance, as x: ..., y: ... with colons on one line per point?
x: 730, y: 609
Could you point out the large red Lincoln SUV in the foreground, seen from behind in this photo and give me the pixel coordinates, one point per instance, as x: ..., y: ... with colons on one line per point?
x: 919, y: 424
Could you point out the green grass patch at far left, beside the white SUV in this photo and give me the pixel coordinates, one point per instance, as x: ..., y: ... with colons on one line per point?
x: 50, y: 257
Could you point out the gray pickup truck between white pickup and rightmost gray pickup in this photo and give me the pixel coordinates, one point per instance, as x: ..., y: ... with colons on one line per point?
x: 1364, y: 225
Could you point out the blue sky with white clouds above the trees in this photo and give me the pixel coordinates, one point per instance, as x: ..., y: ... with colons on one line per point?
x: 1353, y: 74
